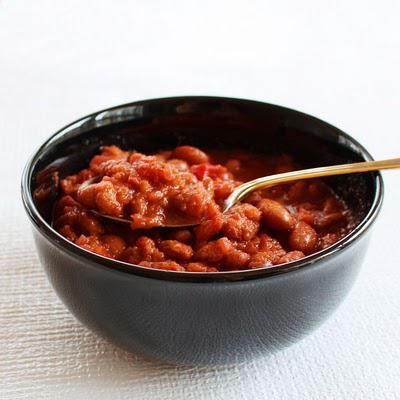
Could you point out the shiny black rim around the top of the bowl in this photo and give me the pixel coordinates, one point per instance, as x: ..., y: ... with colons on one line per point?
x: 199, y: 277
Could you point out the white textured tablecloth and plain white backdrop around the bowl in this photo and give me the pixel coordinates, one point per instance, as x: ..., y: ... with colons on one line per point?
x: 61, y: 60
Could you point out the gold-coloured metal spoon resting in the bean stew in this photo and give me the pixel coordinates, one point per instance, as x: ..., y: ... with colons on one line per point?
x: 267, y: 181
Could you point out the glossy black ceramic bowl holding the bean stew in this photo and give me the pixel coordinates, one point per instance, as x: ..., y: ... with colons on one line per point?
x: 202, y: 318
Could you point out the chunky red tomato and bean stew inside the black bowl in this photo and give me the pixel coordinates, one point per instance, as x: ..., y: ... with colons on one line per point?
x: 269, y: 227
